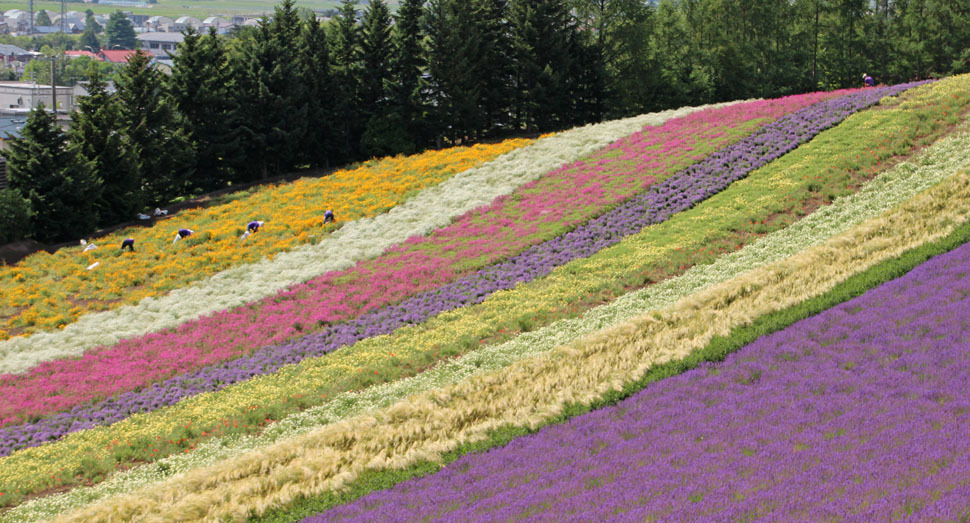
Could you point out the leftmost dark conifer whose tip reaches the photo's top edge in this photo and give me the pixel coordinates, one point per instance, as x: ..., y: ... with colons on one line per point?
x: 273, y: 115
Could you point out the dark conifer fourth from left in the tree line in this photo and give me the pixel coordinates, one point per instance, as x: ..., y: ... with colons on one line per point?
x: 200, y: 85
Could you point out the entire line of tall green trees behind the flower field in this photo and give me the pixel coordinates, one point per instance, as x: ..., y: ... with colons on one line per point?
x: 293, y: 93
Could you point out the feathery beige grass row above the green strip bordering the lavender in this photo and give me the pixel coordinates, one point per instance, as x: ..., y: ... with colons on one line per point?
x: 531, y: 391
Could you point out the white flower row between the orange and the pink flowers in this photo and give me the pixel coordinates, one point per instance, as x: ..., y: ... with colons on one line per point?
x: 366, y: 238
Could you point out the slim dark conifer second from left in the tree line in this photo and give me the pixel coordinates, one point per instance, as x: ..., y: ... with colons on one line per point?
x: 96, y: 131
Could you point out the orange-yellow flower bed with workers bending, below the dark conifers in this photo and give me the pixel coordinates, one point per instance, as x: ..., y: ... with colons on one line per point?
x: 48, y: 291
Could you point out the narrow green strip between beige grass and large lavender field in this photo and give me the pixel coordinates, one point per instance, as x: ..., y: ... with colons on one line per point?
x: 716, y: 350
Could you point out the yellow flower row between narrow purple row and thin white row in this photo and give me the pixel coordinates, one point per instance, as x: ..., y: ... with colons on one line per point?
x: 759, y: 193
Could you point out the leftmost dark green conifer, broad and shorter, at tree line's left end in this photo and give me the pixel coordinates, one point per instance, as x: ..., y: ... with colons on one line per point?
x: 61, y: 186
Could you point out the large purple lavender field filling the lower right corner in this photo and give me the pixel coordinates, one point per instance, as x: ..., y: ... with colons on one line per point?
x: 860, y: 413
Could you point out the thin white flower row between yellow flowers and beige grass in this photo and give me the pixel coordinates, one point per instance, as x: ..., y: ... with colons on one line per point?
x: 888, y: 189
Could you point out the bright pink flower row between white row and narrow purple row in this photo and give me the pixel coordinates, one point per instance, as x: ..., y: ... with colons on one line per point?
x: 540, y: 210
